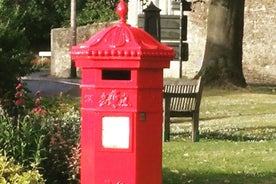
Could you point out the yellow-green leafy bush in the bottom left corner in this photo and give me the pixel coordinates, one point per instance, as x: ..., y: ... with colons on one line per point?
x: 12, y: 173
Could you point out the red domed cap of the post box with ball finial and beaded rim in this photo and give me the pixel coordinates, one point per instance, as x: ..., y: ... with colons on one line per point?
x: 121, y: 42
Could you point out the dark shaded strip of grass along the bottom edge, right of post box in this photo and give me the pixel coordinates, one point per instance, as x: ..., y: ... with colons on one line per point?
x: 183, y: 177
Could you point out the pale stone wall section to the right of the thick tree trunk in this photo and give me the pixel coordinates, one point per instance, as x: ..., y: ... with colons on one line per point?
x: 259, y: 46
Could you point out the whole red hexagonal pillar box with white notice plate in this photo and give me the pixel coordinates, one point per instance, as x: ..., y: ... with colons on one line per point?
x: 121, y: 106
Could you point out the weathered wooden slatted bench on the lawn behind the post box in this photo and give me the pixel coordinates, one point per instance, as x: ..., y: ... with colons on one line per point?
x: 182, y: 99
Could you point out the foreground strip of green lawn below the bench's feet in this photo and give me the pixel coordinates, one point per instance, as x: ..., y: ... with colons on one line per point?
x: 218, y: 161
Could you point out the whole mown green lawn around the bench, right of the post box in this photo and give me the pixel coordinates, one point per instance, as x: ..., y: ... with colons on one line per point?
x: 238, y: 140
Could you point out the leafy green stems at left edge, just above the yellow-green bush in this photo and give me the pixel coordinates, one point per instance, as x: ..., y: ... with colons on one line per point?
x: 23, y: 138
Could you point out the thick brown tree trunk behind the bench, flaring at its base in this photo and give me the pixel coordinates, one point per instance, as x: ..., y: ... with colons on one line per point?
x: 222, y: 62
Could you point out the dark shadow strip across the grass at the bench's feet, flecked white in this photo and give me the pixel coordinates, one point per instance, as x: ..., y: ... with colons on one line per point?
x: 234, y: 134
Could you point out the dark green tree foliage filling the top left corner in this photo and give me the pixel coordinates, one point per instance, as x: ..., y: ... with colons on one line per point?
x: 36, y: 17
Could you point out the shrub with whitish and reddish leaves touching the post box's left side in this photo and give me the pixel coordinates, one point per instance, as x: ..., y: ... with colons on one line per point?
x: 63, y: 150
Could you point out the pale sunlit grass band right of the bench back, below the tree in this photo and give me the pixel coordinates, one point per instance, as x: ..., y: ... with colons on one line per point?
x: 238, y: 105
